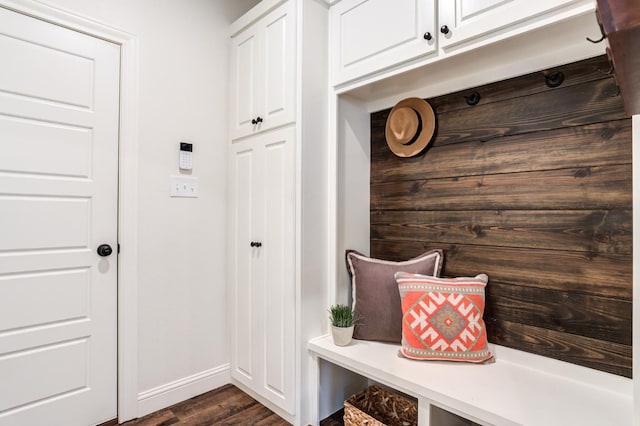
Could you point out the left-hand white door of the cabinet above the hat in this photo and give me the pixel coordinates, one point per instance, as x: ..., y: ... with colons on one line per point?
x: 370, y: 35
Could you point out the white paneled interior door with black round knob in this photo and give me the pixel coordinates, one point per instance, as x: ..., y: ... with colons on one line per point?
x: 58, y: 203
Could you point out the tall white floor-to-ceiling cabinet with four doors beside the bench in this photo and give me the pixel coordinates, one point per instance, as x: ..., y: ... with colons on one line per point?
x: 277, y: 197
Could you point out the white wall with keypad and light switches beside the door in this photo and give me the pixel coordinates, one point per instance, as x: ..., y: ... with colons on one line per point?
x: 182, y: 324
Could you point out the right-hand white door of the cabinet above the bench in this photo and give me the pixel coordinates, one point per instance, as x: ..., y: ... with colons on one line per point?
x: 470, y: 20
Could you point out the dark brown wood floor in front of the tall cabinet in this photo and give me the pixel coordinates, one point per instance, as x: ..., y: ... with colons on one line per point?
x: 226, y: 405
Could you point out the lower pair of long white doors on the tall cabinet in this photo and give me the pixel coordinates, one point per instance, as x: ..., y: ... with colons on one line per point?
x: 262, y: 266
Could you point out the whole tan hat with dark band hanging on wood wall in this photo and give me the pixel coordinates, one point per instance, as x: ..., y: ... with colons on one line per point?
x: 410, y: 127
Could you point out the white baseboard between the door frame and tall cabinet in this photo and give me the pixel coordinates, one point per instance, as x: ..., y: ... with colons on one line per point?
x: 171, y: 393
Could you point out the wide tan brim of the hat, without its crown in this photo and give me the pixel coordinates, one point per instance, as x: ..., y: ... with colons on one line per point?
x: 428, y: 119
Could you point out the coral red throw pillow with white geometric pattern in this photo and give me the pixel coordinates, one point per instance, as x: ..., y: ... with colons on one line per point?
x: 442, y: 318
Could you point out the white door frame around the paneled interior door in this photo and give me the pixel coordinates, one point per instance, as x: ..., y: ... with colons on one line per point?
x: 127, y: 314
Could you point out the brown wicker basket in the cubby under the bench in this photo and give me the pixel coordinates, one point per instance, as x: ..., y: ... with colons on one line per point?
x: 376, y: 406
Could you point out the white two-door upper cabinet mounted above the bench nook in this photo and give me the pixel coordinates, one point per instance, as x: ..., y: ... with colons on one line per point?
x: 373, y: 36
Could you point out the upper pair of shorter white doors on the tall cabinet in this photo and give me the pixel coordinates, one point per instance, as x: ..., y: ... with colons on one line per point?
x: 263, y: 74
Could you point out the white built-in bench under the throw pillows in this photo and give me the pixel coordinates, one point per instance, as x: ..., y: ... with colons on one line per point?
x: 518, y: 389
